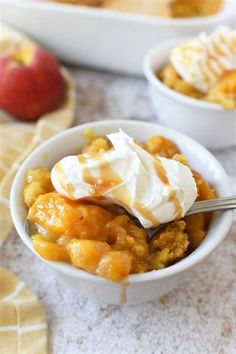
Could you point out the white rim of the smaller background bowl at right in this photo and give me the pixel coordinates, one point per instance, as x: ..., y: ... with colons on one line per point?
x: 157, y: 83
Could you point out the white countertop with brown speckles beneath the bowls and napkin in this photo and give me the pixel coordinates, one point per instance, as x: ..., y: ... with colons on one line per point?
x: 197, y: 318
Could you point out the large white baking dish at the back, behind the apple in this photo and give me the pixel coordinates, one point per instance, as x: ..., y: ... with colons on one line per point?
x: 100, y: 38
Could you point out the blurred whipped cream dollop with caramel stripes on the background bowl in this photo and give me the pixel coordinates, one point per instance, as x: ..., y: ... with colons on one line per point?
x: 203, y: 60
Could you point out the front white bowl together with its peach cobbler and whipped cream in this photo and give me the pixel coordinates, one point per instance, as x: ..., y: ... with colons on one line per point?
x: 104, y: 241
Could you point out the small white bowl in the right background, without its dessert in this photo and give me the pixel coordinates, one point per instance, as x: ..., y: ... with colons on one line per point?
x: 208, y: 123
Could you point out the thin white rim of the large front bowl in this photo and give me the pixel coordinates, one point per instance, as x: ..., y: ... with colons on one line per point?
x: 194, y: 258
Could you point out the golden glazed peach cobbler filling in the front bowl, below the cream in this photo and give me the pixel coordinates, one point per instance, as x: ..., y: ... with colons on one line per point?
x: 105, y: 241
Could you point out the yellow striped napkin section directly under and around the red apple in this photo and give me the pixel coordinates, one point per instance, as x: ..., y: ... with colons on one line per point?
x: 17, y: 140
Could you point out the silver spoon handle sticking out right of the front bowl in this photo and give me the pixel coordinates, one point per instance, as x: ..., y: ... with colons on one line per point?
x: 213, y: 205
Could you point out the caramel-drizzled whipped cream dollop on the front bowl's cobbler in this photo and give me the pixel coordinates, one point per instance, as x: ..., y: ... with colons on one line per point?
x: 154, y: 190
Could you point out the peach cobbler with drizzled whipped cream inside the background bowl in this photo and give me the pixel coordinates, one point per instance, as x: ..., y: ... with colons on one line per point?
x: 205, y: 68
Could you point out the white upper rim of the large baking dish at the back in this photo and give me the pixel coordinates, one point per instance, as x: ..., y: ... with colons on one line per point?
x: 131, y: 17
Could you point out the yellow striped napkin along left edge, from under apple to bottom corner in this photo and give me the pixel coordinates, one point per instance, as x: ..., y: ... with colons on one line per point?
x: 23, y: 327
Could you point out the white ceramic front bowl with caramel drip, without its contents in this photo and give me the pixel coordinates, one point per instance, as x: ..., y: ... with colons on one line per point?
x: 141, y: 287
